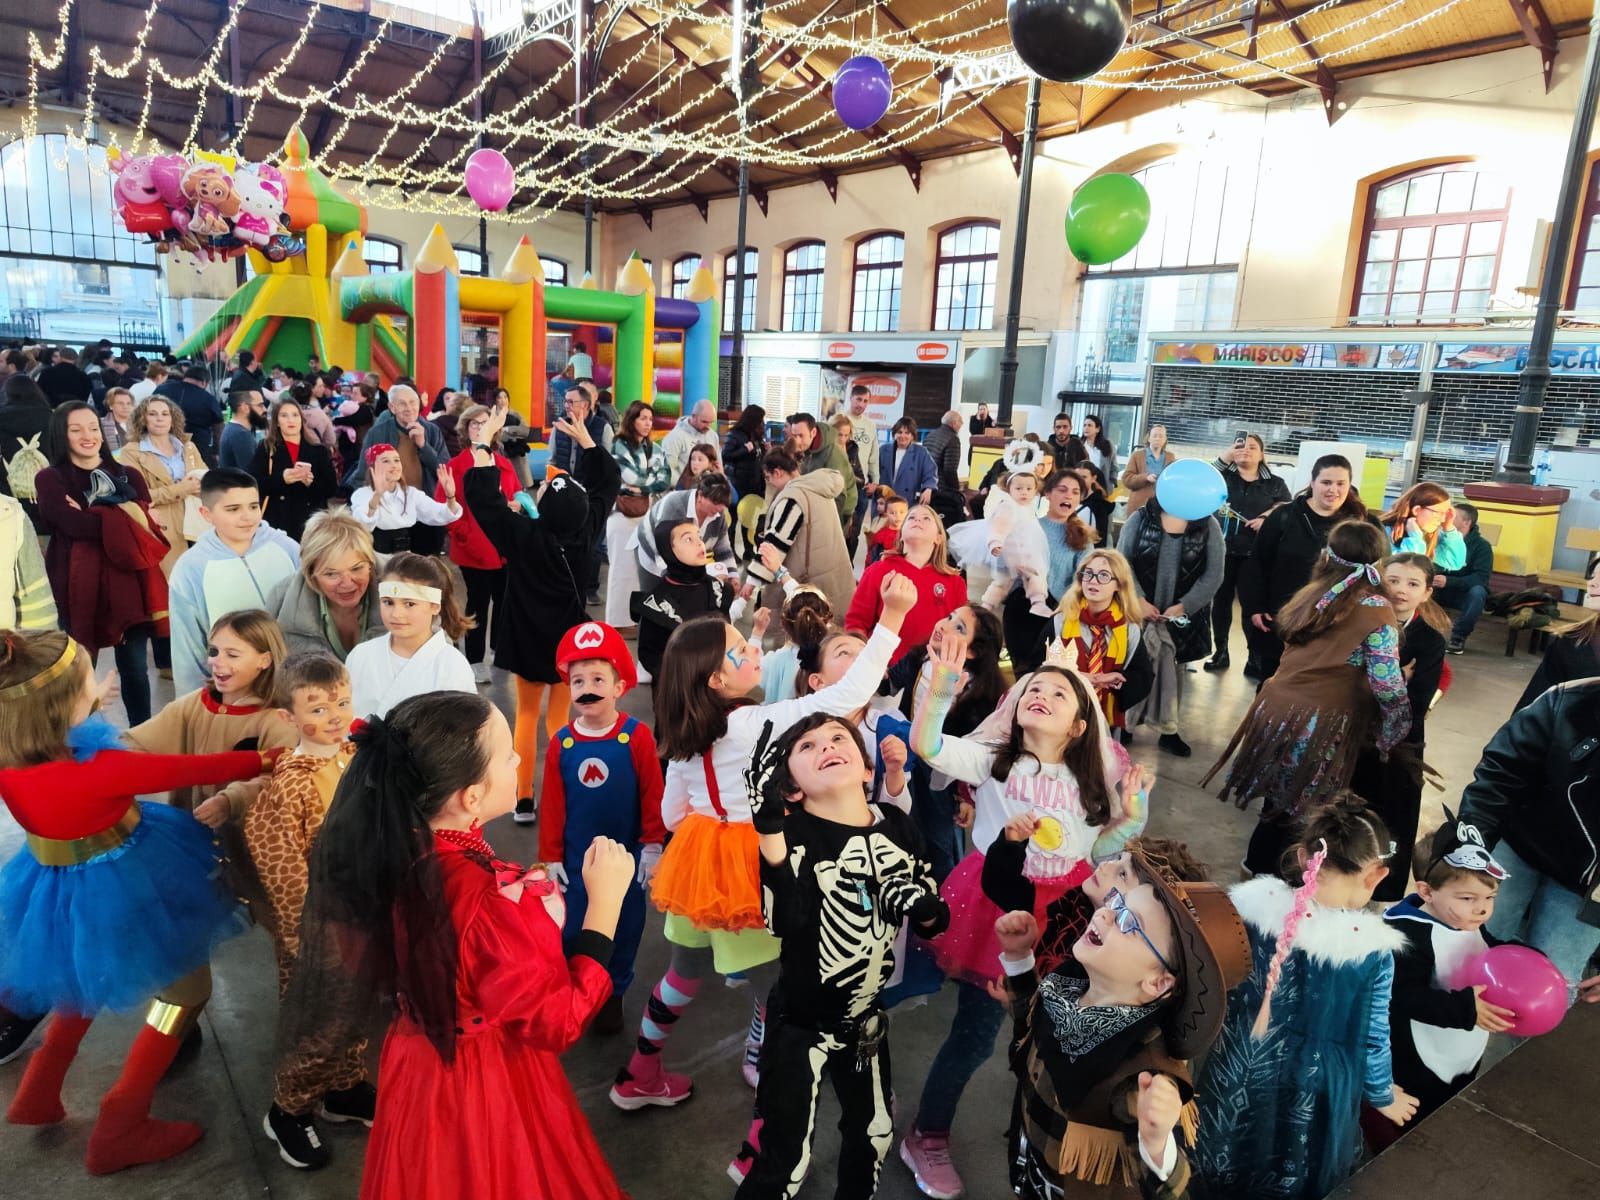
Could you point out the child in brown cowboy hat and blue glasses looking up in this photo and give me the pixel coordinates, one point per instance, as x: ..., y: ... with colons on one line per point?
x: 1103, y: 1041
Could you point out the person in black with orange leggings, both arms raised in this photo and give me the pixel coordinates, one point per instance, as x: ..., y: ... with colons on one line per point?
x: 546, y: 550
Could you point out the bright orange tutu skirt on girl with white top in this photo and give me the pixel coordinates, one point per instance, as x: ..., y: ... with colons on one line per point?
x: 711, y: 874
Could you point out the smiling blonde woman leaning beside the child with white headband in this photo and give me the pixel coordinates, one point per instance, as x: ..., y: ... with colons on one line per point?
x: 332, y: 606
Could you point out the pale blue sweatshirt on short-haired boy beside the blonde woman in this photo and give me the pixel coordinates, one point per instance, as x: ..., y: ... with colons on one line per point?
x: 210, y: 580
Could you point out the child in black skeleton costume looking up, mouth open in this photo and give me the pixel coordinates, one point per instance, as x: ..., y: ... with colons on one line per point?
x: 839, y: 878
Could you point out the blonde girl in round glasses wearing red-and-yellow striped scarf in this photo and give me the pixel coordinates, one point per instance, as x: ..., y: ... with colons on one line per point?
x: 1100, y: 622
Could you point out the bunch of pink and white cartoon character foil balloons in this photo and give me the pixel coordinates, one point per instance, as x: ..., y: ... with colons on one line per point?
x: 204, y: 207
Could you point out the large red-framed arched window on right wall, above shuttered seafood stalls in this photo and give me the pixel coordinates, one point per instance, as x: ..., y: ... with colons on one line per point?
x: 1431, y: 244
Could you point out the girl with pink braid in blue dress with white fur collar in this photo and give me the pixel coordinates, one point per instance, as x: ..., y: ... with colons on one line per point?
x: 1306, y: 1036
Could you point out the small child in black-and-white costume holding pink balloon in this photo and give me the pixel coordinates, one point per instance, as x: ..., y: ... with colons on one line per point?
x: 1438, y: 1033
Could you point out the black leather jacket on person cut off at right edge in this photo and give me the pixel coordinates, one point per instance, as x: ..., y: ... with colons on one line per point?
x: 1538, y: 786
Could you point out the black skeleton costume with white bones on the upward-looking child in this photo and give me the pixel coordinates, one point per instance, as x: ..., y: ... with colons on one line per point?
x: 838, y: 903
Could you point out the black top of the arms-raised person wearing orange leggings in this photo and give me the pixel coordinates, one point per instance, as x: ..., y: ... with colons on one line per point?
x: 546, y: 559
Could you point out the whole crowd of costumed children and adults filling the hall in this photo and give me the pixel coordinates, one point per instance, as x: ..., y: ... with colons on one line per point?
x: 860, y: 783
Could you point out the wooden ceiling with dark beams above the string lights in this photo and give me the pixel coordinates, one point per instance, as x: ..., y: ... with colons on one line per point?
x: 1273, y: 47
